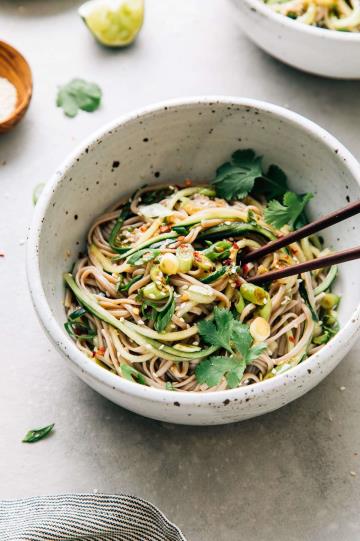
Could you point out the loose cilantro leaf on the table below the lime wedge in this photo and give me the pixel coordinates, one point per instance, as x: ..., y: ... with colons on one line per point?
x: 78, y: 94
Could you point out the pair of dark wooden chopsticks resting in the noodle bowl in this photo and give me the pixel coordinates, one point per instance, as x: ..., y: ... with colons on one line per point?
x: 321, y: 262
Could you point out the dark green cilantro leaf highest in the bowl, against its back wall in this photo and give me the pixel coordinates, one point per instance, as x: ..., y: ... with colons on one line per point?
x: 235, y: 179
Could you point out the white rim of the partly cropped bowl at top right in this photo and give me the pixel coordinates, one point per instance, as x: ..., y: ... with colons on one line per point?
x: 258, y: 5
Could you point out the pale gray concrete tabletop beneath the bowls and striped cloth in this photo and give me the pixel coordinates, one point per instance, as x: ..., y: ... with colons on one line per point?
x: 285, y: 476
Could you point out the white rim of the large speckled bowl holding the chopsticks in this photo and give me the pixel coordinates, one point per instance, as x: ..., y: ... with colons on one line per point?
x: 112, y: 381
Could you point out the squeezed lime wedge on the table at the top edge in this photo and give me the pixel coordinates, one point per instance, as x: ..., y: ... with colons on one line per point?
x: 114, y: 23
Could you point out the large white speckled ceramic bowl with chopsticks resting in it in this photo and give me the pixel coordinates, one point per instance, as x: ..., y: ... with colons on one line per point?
x: 190, y: 138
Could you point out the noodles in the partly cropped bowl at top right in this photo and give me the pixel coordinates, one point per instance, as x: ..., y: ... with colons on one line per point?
x: 341, y: 15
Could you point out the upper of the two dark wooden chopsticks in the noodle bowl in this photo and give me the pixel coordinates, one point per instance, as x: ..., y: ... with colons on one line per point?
x: 310, y: 229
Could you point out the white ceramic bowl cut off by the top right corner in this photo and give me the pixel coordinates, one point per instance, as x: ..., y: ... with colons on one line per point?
x: 316, y: 50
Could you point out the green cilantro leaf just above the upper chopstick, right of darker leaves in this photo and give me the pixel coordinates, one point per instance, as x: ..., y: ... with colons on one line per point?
x: 290, y: 212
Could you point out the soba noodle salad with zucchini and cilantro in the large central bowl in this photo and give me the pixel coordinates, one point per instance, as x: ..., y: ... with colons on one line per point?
x: 161, y: 297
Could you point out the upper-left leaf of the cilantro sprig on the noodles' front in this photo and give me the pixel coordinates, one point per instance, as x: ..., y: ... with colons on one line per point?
x: 218, y: 331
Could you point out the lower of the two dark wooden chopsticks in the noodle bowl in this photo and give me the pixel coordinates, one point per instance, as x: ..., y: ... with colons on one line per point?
x: 319, y: 263
